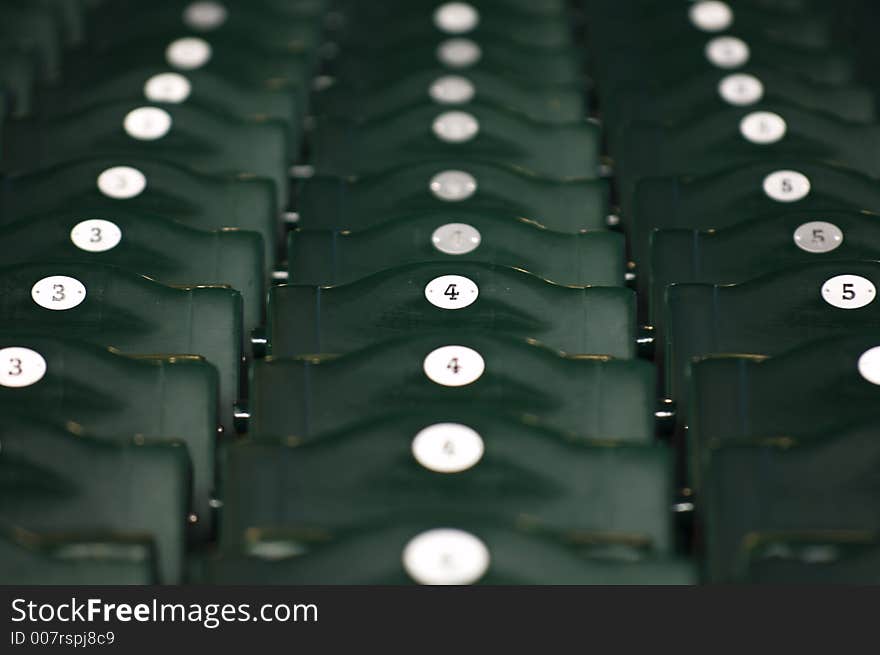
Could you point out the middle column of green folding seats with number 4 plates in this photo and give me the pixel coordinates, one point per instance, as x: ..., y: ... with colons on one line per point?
x: 451, y: 393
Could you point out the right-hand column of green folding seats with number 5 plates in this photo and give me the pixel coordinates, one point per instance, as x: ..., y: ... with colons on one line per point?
x: 745, y: 175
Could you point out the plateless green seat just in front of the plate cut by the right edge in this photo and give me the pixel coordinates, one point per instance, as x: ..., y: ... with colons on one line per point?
x: 769, y: 486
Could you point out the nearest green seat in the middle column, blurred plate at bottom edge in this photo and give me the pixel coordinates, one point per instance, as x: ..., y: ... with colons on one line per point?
x: 446, y: 548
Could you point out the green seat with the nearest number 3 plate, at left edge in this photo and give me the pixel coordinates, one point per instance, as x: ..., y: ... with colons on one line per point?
x: 98, y: 392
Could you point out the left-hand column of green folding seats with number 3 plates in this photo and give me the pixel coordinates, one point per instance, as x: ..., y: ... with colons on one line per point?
x: 145, y: 153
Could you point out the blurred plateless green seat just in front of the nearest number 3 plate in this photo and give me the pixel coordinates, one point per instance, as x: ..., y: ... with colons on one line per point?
x: 55, y: 480
